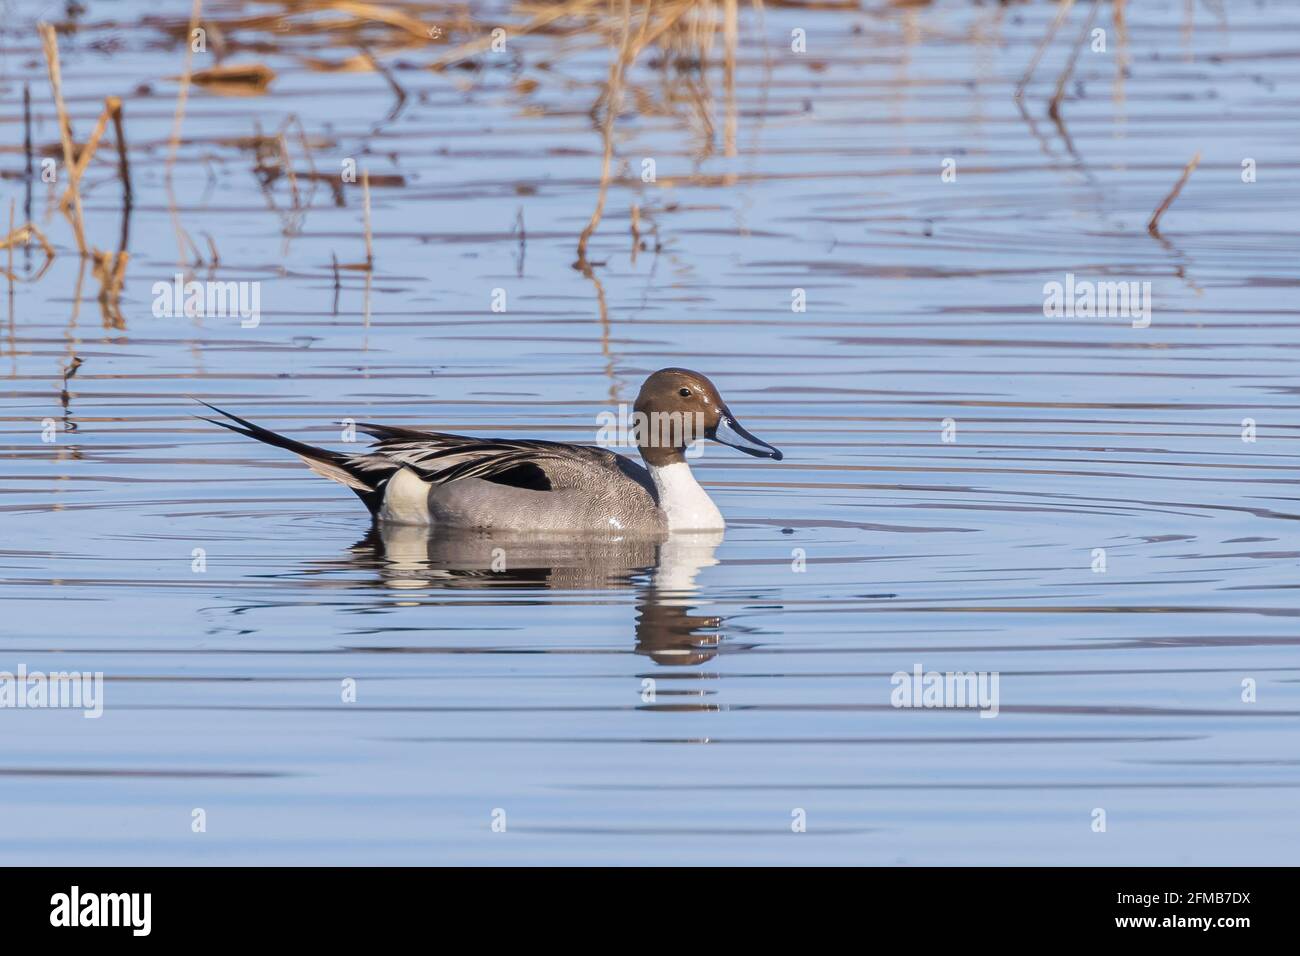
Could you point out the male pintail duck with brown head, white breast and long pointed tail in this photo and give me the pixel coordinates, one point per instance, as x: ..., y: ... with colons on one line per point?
x: 411, y: 477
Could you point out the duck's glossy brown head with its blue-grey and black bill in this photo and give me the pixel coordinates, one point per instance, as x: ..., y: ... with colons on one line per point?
x: 678, y: 408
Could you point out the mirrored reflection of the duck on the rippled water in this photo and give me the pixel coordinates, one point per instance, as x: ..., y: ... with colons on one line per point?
x: 661, y: 572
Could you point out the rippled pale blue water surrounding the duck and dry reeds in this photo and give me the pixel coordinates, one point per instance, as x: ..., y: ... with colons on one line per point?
x: 525, y: 693
